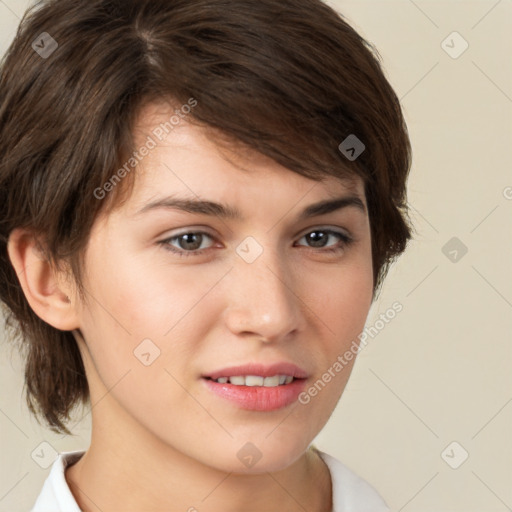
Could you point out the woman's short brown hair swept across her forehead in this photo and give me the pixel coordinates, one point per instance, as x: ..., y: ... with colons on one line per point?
x: 288, y: 78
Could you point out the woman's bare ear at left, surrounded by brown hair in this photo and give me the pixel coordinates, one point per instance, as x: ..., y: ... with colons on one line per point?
x: 47, y: 290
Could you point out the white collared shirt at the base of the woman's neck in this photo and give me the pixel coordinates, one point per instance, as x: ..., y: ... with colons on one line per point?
x: 350, y: 493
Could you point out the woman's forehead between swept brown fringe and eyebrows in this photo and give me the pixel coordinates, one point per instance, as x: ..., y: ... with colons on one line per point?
x: 187, y: 152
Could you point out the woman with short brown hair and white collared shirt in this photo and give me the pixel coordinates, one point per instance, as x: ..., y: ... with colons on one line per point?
x: 199, y: 202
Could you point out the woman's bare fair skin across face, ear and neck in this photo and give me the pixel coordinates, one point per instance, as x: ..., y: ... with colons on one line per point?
x: 160, y: 439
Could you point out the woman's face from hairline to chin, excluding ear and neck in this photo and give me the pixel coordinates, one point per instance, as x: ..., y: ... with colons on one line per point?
x: 181, y: 301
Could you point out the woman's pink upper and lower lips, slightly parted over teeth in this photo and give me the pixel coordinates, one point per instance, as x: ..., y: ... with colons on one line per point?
x: 258, y: 398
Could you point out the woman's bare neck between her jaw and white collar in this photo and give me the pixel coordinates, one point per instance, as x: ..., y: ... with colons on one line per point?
x: 118, y: 475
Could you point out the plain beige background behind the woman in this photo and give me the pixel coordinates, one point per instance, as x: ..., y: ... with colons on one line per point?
x: 441, y: 370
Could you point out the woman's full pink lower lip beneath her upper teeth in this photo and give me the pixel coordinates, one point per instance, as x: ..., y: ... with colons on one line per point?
x: 258, y: 398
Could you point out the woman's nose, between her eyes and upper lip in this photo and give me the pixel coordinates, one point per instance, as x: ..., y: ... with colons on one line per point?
x: 262, y: 300
